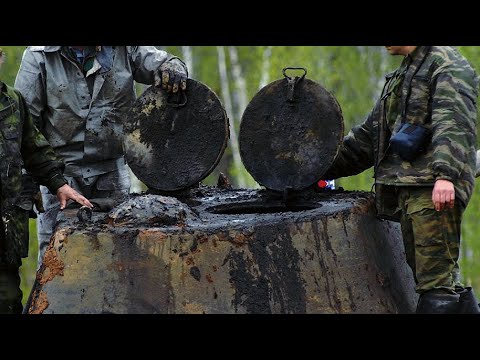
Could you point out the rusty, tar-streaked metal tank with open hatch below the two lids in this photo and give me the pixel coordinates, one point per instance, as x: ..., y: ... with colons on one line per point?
x: 323, y: 253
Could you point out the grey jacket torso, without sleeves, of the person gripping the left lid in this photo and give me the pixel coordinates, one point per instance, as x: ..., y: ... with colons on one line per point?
x: 84, y: 125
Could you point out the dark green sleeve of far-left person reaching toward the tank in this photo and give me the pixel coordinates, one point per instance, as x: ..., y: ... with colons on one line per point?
x: 38, y: 156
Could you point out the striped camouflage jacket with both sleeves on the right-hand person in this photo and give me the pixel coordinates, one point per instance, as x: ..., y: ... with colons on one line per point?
x: 434, y: 87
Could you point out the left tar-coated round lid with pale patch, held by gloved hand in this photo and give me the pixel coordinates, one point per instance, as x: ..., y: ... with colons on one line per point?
x: 170, y: 146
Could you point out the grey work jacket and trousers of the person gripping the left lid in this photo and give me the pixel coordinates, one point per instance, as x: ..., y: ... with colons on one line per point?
x: 79, y: 109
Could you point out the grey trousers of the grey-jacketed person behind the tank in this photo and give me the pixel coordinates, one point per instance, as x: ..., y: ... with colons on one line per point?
x: 109, y: 185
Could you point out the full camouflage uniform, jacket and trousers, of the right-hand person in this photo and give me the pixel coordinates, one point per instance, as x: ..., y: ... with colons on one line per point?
x: 437, y: 88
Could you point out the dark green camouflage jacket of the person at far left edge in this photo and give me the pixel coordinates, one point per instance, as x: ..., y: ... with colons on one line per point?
x: 21, y: 144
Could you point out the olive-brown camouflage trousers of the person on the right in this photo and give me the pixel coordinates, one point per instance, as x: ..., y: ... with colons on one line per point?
x: 431, y: 239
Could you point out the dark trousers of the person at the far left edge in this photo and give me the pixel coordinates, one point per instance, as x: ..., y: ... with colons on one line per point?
x: 10, y: 293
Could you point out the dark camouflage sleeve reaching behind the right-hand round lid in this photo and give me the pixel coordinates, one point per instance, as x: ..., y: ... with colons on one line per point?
x: 356, y: 152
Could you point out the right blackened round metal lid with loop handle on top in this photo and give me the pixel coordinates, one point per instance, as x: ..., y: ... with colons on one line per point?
x: 290, y: 144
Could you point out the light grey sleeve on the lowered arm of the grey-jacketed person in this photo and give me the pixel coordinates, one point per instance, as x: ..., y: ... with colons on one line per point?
x: 30, y: 84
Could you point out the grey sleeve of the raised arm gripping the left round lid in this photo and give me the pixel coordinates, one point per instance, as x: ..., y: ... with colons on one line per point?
x: 146, y: 61
